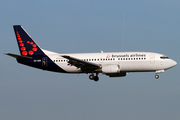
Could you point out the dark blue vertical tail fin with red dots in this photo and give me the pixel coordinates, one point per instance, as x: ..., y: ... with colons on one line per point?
x: 27, y: 46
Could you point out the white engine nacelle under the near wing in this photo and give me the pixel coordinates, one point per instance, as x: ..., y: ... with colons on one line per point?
x: 109, y: 69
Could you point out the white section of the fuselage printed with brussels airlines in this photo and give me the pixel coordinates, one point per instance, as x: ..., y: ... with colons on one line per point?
x: 128, y: 61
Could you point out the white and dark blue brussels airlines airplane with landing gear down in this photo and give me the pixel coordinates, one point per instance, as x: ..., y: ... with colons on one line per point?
x: 112, y: 64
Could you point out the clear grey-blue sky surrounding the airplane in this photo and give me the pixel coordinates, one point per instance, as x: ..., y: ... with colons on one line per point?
x: 90, y: 26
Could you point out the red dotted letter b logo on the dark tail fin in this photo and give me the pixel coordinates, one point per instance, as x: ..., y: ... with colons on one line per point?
x: 23, y: 47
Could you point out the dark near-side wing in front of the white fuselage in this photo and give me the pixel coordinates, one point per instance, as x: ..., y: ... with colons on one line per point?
x: 84, y: 65
